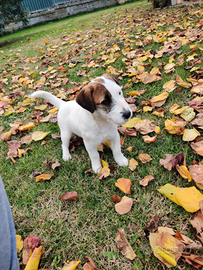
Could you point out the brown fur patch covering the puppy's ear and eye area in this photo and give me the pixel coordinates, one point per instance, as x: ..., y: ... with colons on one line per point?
x: 92, y: 95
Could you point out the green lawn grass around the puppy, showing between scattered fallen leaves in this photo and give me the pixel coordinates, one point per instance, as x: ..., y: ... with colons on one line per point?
x: 71, y: 230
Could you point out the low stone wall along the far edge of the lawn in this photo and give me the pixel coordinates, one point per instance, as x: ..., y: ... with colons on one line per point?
x: 64, y: 10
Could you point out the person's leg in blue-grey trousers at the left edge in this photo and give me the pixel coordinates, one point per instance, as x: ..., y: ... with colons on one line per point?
x: 8, y: 253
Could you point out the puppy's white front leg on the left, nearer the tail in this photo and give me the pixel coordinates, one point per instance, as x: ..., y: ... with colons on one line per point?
x: 94, y: 156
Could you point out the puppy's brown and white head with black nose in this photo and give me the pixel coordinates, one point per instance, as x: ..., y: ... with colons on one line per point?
x: 104, y: 96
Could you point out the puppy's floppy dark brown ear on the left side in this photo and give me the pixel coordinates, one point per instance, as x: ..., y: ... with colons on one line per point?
x: 85, y: 98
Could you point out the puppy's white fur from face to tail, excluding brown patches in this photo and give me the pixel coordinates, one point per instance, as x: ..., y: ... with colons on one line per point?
x: 94, y: 128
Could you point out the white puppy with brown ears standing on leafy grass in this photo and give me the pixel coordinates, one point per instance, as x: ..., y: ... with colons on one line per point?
x: 95, y: 114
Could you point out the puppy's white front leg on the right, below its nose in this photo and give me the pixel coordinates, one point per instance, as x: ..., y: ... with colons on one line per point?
x: 116, y: 149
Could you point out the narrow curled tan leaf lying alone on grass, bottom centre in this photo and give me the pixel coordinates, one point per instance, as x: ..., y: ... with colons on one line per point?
x: 124, y: 246
